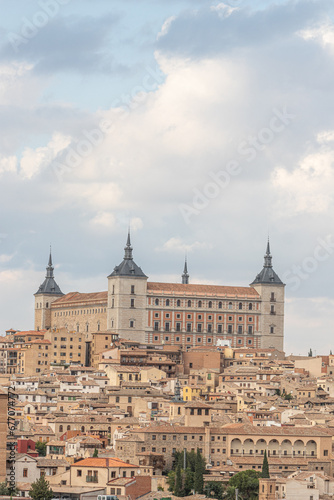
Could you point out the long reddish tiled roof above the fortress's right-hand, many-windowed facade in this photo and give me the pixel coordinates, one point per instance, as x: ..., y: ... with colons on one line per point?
x: 230, y: 291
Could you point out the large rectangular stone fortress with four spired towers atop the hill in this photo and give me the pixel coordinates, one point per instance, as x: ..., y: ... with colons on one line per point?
x: 169, y: 313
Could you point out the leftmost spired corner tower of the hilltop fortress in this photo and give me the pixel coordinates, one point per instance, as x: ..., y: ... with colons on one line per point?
x: 47, y: 293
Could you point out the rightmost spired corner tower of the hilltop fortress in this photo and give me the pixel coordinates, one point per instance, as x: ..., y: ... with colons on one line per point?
x: 271, y: 289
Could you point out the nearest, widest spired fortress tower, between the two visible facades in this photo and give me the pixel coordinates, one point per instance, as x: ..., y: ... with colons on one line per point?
x: 127, y: 298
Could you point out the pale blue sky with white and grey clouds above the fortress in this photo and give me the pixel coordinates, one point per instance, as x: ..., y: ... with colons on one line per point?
x: 205, y: 126
